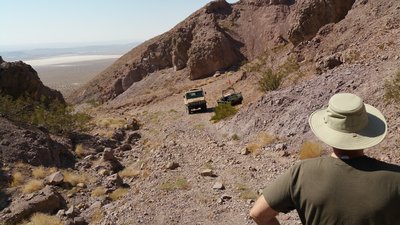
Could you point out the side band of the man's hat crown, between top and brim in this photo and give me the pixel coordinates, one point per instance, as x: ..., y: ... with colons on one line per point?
x: 347, y: 123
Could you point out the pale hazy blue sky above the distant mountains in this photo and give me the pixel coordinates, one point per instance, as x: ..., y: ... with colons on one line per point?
x: 52, y: 23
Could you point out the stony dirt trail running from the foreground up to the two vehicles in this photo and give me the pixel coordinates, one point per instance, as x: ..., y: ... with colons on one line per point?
x: 182, y: 195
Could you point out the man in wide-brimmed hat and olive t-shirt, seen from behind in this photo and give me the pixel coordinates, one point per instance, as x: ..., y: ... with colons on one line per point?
x: 346, y: 187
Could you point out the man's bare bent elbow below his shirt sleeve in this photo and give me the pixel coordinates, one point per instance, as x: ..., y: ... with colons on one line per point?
x: 262, y: 213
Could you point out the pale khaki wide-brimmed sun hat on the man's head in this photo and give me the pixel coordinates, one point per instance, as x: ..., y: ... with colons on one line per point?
x: 348, y: 123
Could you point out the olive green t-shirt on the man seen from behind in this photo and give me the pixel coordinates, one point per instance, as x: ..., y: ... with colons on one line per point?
x: 331, y: 191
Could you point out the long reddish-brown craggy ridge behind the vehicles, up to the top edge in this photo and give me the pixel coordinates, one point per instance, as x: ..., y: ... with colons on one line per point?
x: 219, y: 36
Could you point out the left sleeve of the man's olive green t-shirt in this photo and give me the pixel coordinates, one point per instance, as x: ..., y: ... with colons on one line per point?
x: 278, y: 194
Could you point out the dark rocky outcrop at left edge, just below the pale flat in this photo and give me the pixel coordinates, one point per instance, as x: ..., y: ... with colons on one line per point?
x: 18, y: 79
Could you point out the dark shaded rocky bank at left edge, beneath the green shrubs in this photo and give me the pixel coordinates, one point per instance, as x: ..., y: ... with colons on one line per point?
x: 32, y: 146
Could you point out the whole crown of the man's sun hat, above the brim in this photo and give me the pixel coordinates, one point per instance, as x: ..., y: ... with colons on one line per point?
x: 346, y: 113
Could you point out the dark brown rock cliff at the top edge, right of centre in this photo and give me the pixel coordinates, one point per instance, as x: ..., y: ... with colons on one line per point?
x: 310, y: 15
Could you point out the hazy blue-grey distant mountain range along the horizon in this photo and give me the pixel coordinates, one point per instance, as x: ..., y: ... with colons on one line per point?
x: 81, y: 50
